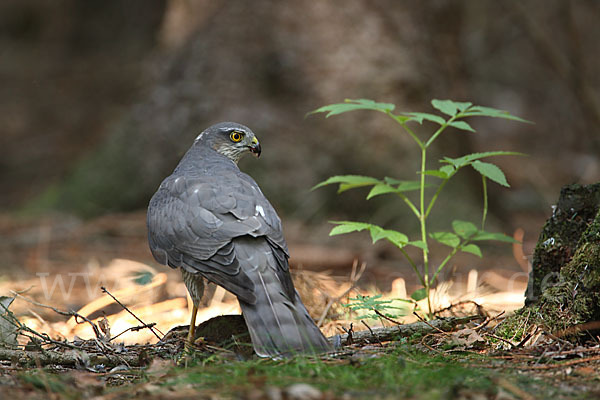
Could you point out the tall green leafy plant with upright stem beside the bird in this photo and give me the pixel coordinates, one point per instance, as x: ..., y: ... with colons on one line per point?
x: 465, y: 233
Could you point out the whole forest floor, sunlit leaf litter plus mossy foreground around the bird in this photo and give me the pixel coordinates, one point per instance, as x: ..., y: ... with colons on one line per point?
x: 63, y: 263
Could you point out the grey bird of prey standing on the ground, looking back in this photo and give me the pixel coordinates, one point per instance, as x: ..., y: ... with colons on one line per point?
x: 212, y: 221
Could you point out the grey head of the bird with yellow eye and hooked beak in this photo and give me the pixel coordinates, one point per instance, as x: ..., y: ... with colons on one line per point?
x: 230, y: 139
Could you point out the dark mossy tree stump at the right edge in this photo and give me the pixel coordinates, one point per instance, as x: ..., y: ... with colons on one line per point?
x: 564, y: 285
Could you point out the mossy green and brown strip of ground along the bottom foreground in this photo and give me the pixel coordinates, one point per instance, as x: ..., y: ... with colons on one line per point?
x: 432, y: 366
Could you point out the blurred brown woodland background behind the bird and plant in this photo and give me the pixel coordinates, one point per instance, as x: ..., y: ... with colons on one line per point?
x: 100, y: 99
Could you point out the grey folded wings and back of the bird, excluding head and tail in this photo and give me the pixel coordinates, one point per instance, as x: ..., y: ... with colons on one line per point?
x: 193, y: 219
